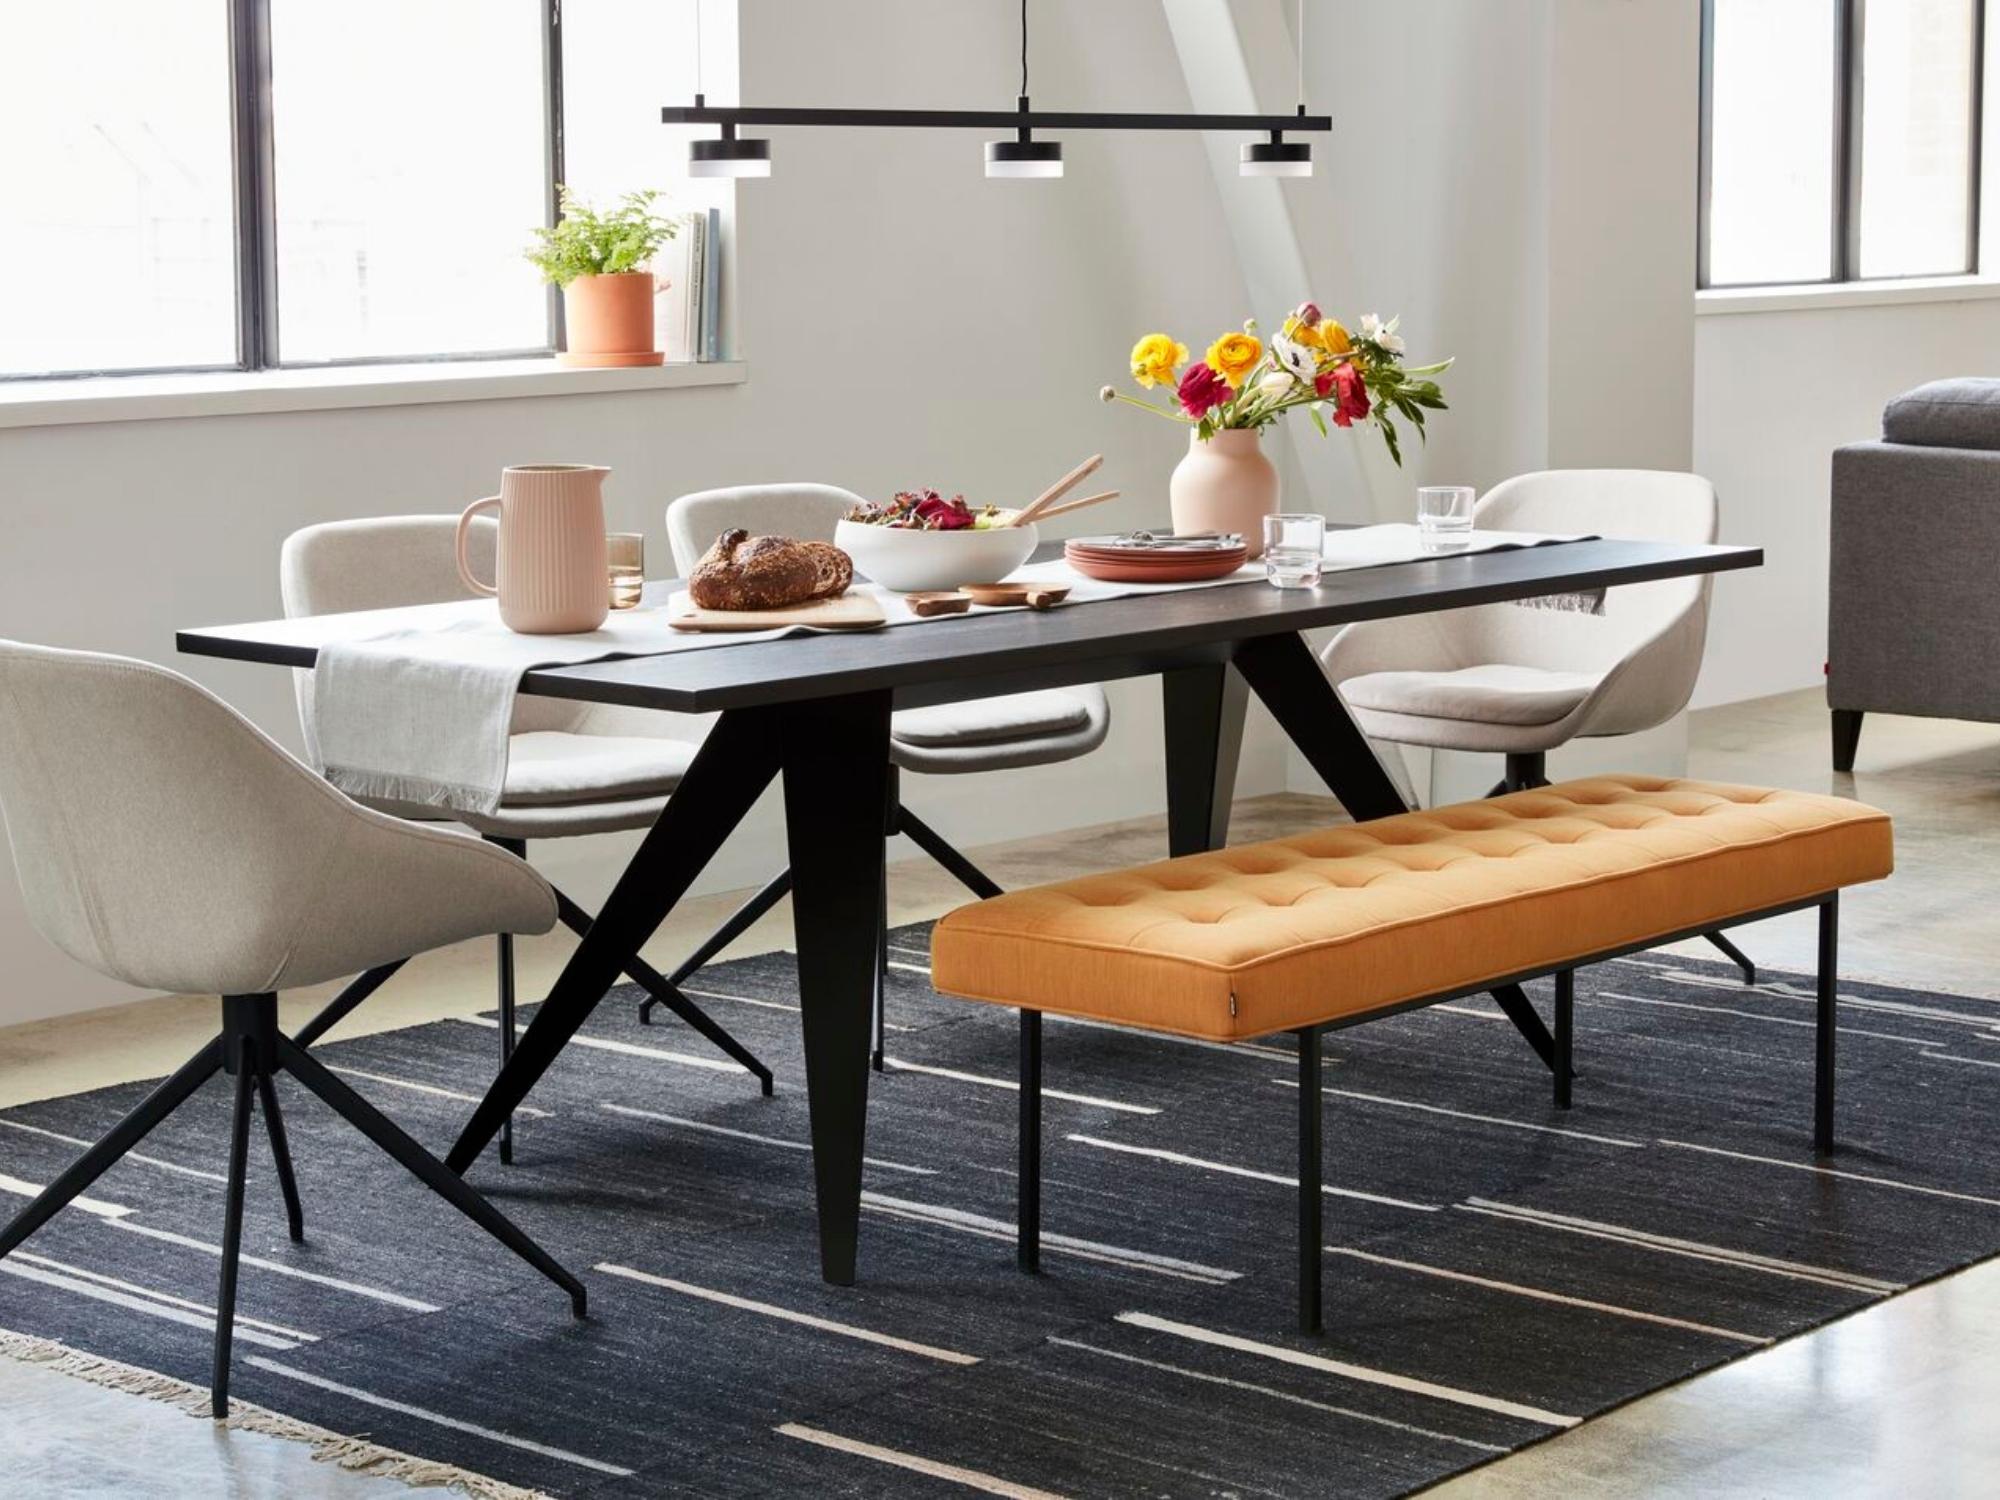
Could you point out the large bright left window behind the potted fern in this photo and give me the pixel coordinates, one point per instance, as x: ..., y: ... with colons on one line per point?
x: 281, y: 183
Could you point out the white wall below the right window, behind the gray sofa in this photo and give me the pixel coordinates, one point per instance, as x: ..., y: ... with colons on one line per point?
x: 1775, y: 395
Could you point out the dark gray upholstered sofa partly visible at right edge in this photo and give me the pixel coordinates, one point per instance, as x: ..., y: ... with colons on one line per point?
x: 1915, y: 571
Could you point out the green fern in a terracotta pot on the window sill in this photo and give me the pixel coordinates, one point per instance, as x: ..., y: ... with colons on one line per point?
x: 603, y: 265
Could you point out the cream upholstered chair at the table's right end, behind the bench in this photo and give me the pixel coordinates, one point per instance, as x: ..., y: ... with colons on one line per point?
x: 1525, y: 679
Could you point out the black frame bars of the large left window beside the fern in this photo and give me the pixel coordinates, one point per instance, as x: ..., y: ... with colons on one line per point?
x: 255, y: 205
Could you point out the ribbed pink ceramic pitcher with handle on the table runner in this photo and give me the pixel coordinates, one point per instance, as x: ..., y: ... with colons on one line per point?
x: 551, y: 571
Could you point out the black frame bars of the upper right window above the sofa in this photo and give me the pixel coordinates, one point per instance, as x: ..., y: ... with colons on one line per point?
x: 1845, y: 143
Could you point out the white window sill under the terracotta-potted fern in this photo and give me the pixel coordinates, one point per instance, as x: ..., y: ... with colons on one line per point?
x: 235, y: 393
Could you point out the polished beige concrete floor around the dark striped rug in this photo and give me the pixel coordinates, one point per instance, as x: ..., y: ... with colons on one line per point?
x: 1893, y: 1401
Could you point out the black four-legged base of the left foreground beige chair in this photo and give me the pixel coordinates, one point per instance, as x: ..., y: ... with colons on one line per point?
x: 253, y: 1051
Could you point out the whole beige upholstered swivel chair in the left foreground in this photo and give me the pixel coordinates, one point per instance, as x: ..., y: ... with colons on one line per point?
x: 163, y: 841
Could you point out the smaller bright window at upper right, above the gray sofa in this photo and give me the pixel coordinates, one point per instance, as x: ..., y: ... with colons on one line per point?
x: 1841, y: 139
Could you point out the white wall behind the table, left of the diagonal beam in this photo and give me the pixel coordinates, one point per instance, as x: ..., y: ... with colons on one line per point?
x: 905, y: 321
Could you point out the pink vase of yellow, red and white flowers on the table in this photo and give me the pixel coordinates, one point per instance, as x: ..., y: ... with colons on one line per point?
x: 1241, y: 387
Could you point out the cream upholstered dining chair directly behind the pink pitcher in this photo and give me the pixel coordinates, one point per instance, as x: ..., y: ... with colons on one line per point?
x: 573, y: 769
